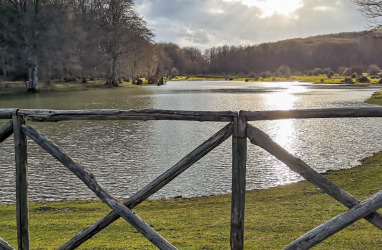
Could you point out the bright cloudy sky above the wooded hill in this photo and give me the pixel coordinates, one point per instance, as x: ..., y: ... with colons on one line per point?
x: 207, y: 23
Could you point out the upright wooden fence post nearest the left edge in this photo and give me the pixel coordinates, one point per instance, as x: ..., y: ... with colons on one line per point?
x: 21, y: 182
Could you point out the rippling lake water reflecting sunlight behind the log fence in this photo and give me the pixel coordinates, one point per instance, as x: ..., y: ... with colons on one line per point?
x: 126, y: 155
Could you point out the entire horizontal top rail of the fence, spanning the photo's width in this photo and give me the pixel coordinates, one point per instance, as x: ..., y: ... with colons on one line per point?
x: 157, y: 114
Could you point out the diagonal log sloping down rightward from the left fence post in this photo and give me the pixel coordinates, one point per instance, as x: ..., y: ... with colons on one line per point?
x: 90, y: 181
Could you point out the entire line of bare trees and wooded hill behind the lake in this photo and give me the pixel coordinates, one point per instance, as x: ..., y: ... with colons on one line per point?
x: 87, y: 39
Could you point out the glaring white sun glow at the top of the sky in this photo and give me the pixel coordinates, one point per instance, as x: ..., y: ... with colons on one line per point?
x: 270, y: 7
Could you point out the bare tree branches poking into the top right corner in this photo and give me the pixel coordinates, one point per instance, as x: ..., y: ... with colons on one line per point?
x: 371, y: 9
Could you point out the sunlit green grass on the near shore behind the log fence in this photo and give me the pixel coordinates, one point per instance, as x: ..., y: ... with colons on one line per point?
x: 274, y: 217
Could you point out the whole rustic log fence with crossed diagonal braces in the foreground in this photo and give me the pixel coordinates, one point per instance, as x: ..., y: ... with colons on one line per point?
x: 240, y: 130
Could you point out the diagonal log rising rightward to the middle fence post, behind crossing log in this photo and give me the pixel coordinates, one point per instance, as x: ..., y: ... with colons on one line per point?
x: 153, y: 187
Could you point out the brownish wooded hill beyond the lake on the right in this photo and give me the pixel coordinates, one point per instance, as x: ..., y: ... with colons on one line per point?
x: 351, y: 49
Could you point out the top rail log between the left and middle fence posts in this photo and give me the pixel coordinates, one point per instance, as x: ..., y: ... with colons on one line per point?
x: 111, y: 114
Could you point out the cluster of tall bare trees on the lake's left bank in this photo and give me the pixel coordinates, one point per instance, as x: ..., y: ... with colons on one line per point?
x: 64, y: 39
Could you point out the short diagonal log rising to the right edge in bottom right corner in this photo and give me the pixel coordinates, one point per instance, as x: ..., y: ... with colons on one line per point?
x: 338, y: 223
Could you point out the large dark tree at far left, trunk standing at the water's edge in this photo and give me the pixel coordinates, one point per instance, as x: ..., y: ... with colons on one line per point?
x: 32, y: 33
